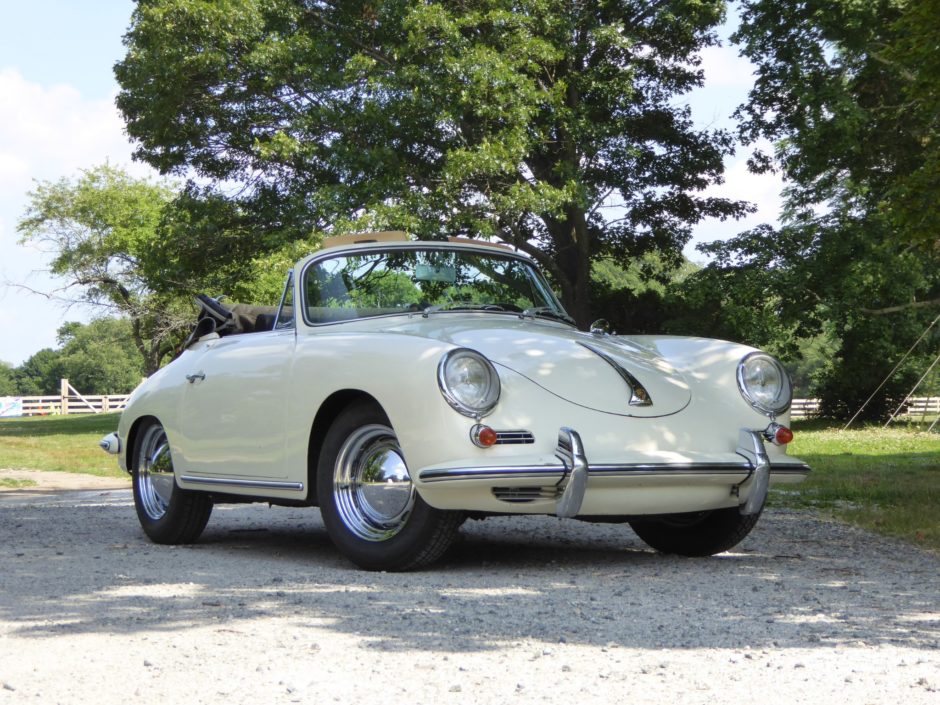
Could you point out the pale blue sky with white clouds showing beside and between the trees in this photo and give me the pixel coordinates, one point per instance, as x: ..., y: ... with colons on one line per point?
x: 57, y: 117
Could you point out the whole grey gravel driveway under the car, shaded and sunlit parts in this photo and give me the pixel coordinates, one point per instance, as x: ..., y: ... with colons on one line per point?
x: 263, y: 610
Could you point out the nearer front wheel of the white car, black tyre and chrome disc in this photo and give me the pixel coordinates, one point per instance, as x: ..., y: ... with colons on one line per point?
x: 369, y: 505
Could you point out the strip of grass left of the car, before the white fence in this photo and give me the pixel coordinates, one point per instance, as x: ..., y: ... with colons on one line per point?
x: 64, y: 443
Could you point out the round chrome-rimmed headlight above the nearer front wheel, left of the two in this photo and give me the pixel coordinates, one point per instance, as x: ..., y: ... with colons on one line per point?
x: 468, y: 382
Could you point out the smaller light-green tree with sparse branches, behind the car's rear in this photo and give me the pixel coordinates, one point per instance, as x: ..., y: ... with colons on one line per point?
x: 102, y: 229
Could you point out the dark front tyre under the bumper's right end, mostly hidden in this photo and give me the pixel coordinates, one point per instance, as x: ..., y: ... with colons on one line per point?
x: 698, y: 534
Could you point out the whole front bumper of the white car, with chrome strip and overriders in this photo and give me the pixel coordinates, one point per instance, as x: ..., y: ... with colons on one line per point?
x: 573, y: 486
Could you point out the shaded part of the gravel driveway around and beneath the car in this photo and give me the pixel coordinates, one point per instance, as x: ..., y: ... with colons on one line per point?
x: 797, y: 581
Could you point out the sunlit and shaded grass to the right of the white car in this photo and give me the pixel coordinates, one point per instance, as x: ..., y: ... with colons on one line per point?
x: 887, y: 480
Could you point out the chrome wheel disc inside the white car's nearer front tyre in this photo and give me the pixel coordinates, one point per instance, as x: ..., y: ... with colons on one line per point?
x: 371, y: 485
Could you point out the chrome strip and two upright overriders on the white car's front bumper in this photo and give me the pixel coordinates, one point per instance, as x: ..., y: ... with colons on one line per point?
x: 749, y: 478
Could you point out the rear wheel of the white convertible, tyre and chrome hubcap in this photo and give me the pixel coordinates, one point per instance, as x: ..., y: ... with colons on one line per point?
x: 168, y: 514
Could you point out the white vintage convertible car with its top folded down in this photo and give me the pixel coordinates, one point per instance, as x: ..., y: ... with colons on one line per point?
x: 405, y: 386
